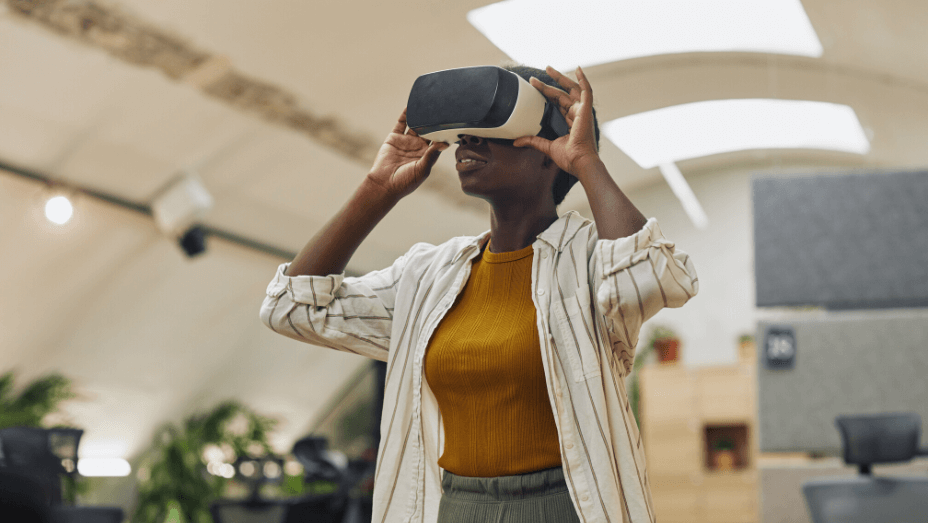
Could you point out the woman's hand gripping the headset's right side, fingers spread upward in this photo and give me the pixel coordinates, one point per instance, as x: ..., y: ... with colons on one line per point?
x: 574, y: 152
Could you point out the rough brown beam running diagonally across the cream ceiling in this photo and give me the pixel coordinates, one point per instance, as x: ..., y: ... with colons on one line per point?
x: 140, y: 43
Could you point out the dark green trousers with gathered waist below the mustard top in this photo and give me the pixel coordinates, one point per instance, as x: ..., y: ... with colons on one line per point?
x: 534, y: 497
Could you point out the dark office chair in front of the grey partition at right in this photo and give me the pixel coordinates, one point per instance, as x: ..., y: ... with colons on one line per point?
x: 865, y: 498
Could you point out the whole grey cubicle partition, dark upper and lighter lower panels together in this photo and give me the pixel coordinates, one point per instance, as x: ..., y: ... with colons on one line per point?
x: 856, y: 243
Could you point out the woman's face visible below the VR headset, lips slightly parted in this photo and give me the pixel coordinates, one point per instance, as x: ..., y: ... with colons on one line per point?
x: 496, y: 170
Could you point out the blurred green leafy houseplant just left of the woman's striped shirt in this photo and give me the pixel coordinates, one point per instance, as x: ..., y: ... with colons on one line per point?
x: 174, y: 482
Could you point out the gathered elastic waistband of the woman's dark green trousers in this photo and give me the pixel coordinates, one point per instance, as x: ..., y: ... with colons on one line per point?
x: 504, y: 488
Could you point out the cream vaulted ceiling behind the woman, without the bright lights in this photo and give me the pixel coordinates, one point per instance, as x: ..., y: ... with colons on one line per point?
x: 279, y: 106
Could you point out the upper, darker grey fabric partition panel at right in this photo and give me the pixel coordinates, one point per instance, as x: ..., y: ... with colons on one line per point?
x: 842, y: 241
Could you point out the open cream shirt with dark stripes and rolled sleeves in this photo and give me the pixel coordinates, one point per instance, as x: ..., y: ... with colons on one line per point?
x: 591, y: 297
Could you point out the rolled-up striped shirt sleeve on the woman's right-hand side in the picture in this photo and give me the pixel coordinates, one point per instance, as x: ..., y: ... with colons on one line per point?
x: 635, y: 277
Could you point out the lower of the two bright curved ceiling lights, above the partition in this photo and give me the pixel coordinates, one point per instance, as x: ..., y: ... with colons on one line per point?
x: 700, y: 129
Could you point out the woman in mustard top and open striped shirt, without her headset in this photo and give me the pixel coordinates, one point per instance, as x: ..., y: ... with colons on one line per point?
x: 506, y: 352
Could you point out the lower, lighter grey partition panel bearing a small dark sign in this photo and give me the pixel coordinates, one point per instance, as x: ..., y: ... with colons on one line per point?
x: 853, y: 362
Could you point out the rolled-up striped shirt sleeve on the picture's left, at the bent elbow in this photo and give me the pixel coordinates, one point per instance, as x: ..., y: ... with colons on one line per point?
x: 350, y: 314
